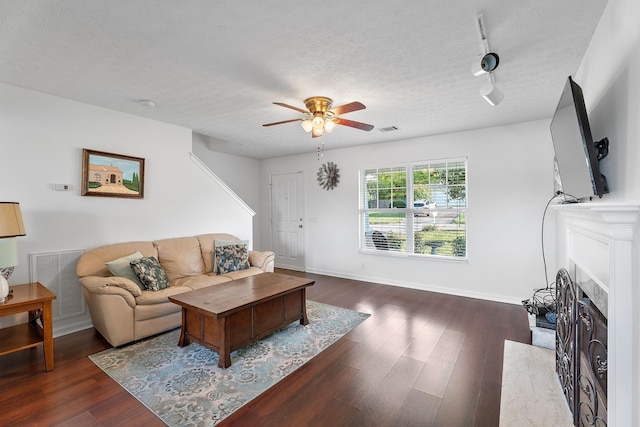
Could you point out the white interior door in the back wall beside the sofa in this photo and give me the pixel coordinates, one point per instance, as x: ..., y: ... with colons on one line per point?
x: 287, y: 220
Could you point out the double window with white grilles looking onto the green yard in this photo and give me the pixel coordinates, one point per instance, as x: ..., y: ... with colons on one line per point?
x: 417, y: 209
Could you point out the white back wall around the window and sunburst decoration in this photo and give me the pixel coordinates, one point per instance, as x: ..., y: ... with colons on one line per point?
x: 510, y: 180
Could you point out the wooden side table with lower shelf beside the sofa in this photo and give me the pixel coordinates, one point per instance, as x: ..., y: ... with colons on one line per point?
x: 35, y: 299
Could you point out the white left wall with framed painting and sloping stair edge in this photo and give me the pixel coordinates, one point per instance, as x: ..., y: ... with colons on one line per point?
x: 41, y: 141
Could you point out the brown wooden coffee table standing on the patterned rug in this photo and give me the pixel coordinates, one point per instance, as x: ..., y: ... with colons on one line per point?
x: 231, y: 315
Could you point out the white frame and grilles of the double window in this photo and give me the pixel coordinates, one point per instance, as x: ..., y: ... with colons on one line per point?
x: 409, y: 213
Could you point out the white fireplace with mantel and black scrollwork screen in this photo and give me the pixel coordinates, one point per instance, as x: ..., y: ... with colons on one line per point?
x: 597, y: 246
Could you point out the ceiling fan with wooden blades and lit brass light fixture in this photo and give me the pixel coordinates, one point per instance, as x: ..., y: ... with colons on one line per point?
x: 321, y: 117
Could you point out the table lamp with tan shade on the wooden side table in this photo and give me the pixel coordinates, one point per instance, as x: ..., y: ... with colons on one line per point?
x: 11, y: 226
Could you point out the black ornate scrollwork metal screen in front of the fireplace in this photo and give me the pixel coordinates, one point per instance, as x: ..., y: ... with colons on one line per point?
x: 581, y: 353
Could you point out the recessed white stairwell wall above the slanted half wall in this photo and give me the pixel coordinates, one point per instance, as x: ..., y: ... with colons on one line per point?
x: 240, y: 174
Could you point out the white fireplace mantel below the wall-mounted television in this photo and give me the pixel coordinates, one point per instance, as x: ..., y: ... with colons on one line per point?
x: 601, y: 240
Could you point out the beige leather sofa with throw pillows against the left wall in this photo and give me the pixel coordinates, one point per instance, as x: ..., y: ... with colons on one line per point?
x: 123, y: 313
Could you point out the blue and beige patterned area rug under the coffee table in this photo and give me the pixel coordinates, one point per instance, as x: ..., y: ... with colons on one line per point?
x: 183, y: 386
